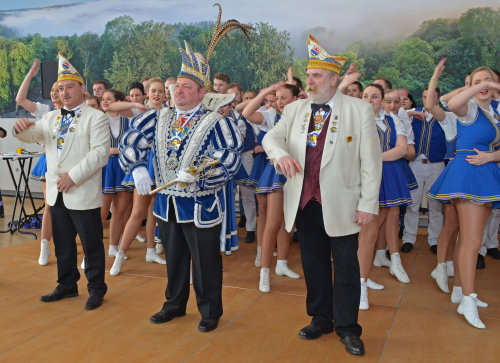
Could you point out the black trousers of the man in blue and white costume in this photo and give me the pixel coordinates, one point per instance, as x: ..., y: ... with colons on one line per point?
x: 183, y: 242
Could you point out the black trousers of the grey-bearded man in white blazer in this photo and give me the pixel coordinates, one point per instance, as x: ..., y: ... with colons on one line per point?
x: 326, y: 301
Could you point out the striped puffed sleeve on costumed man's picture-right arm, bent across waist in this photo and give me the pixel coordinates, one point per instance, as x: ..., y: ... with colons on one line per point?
x: 225, y: 145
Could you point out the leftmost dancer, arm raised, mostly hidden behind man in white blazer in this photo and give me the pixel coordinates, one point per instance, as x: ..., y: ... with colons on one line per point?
x: 38, y: 172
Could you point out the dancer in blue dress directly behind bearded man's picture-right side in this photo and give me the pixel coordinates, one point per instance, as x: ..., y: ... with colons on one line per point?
x: 394, y: 192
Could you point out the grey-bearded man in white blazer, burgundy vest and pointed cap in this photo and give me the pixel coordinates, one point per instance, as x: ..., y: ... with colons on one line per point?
x: 329, y: 150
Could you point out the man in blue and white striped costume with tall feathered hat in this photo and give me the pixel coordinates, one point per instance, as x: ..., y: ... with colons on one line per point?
x: 191, y: 210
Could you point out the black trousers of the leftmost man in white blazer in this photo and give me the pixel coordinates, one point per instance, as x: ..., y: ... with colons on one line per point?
x: 66, y: 224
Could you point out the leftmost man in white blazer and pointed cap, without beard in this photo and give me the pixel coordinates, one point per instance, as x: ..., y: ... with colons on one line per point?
x: 77, y: 146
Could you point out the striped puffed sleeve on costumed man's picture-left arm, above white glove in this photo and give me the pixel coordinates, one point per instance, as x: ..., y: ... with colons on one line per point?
x: 134, y: 145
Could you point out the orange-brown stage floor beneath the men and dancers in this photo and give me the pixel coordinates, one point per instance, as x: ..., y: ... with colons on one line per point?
x: 405, y: 323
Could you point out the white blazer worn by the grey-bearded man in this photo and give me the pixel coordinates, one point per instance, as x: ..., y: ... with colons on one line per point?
x: 351, y: 166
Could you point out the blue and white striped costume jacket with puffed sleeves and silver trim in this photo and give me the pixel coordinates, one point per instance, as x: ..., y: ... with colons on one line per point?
x: 209, y: 134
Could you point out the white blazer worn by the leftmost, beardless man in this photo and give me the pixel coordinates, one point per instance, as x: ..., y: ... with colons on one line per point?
x: 85, y: 151
